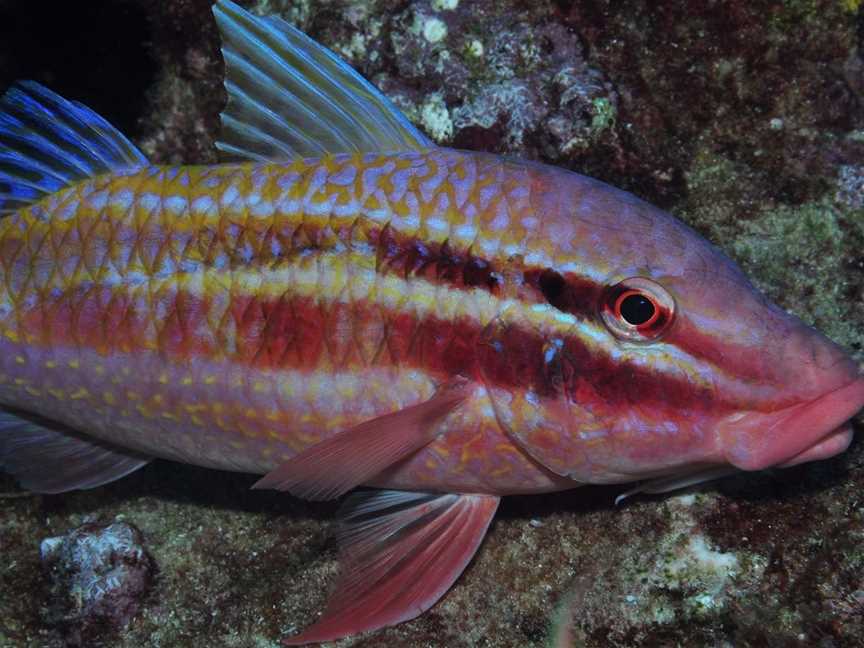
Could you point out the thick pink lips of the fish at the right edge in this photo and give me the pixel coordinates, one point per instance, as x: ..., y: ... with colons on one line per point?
x: 810, y: 431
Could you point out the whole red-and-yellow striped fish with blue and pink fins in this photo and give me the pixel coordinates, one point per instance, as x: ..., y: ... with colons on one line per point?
x: 347, y: 309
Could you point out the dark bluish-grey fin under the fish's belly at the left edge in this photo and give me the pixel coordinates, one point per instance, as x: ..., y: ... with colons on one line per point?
x: 46, y: 458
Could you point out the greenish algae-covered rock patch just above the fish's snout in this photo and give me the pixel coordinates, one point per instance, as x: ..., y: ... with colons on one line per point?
x: 804, y: 257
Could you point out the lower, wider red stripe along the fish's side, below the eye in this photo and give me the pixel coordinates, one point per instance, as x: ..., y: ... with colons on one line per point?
x: 301, y: 333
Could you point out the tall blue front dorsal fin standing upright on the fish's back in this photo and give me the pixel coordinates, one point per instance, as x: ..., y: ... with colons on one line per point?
x: 290, y: 97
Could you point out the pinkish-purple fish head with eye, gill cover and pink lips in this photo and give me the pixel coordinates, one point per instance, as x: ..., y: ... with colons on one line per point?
x: 662, y: 358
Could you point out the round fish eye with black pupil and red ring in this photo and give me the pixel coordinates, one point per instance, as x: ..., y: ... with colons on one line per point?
x: 638, y: 309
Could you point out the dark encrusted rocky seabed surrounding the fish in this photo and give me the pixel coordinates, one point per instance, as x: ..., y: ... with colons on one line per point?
x: 744, y: 118
